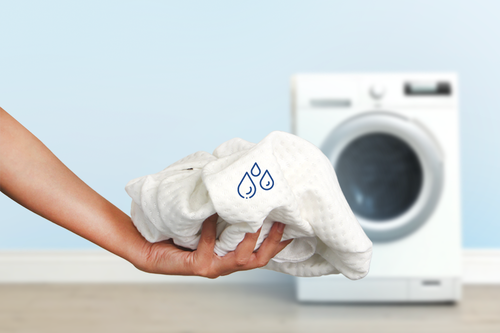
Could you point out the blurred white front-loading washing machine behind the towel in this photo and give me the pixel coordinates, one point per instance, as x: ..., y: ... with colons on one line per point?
x: 393, y: 142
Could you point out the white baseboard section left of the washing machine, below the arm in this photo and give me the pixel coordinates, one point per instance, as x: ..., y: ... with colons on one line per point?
x: 99, y: 266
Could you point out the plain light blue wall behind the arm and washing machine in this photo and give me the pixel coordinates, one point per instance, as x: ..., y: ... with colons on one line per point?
x: 122, y: 89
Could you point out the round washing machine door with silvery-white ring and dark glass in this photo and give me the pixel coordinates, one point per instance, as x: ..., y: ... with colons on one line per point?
x: 390, y: 170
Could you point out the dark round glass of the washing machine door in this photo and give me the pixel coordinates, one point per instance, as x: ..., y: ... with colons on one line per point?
x: 380, y: 175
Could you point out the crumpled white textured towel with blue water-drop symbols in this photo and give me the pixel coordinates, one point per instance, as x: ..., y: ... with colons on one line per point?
x: 282, y: 178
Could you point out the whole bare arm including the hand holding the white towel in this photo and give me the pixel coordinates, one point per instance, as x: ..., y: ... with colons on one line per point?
x: 34, y: 177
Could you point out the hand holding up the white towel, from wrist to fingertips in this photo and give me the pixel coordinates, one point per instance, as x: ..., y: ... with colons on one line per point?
x: 167, y: 258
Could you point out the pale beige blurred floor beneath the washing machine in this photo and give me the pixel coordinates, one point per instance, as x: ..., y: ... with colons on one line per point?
x: 220, y: 308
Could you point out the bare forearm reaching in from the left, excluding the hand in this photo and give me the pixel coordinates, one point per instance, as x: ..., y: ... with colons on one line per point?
x: 34, y: 177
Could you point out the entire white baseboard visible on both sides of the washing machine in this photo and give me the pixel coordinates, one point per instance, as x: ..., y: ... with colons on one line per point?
x: 480, y: 266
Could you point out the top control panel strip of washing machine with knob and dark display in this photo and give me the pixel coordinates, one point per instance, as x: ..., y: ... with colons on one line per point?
x: 345, y: 92
